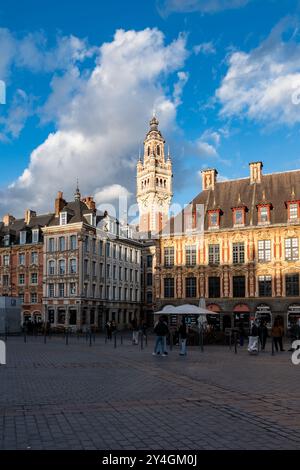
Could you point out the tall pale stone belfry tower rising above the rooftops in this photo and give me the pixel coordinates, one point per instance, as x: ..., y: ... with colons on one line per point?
x: 154, y: 181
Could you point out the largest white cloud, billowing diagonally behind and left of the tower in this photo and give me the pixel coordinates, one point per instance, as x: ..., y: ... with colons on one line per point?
x: 100, y: 127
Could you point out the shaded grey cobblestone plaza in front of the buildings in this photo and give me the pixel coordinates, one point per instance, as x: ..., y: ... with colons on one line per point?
x: 54, y: 396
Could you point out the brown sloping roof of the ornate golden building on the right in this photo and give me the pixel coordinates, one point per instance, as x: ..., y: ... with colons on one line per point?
x: 275, y: 188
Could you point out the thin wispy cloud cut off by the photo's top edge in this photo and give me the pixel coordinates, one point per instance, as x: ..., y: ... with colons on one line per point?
x: 165, y: 7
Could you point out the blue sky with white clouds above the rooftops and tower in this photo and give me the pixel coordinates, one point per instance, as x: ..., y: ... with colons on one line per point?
x: 83, y: 78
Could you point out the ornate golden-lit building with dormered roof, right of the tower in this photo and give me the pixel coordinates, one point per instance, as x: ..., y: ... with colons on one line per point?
x: 245, y: 262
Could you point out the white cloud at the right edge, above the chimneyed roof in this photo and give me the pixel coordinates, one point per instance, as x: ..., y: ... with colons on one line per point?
x: 260, y: 84
